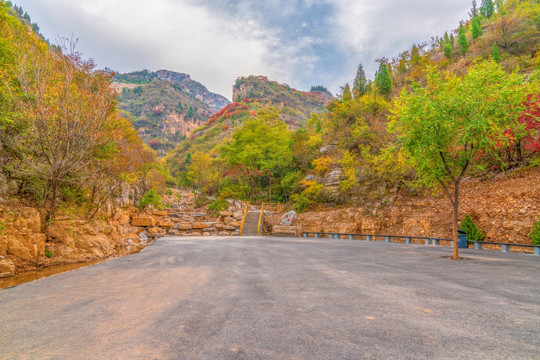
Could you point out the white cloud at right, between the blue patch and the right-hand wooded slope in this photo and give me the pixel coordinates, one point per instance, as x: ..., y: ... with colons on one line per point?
x: 367, y: 30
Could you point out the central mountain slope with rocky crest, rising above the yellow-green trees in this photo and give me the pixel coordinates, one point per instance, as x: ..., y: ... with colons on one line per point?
x: 251, y: 94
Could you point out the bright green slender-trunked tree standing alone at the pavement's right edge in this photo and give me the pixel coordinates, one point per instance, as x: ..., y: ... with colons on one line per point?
x: 444, y: 125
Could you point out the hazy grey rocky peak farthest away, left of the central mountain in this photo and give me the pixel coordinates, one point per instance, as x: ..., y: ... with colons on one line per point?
x: 165, y: 106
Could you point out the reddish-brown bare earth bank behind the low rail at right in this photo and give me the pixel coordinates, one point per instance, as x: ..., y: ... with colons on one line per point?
x: 504, y: 208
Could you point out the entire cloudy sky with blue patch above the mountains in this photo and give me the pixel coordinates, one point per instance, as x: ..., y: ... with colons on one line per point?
x: 298, y: 42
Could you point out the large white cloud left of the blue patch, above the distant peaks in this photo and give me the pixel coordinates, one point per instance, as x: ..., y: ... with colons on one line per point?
x: 168, y: 34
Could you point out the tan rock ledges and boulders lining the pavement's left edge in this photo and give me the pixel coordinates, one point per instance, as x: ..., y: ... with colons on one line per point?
x: 125, y: 230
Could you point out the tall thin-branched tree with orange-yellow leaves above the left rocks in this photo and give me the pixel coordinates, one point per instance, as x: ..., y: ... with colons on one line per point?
x: 67, y: 107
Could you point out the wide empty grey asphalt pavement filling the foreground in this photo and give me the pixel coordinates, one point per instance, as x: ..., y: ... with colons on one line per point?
x: 280, y: 298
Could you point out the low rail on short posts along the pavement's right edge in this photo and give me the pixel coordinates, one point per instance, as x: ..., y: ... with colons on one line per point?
x: 505, y: 247
